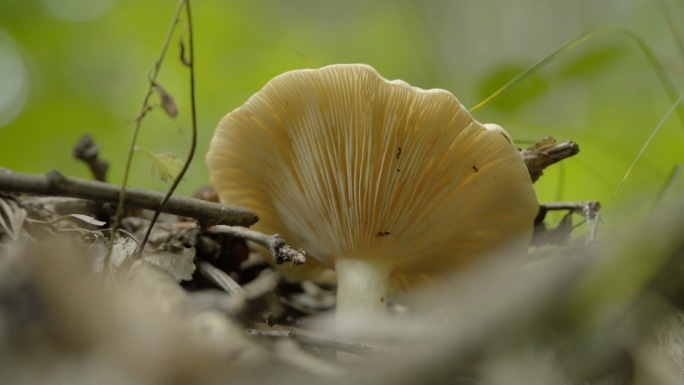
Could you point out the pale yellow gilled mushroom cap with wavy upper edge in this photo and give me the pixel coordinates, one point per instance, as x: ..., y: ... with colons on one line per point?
x: 346, y: 164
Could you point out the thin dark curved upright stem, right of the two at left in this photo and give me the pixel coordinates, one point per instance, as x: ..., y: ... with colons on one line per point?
x: 193, y: 113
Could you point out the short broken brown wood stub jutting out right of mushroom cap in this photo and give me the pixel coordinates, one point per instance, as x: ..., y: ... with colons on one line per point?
x: 545, y: 153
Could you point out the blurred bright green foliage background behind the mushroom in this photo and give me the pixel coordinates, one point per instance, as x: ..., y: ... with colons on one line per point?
x: 69, y: 67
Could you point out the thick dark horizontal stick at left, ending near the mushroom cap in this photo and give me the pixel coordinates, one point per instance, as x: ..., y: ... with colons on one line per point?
x: 55, y: 184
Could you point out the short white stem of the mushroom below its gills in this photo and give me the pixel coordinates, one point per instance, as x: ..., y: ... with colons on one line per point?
x: 362, y: 287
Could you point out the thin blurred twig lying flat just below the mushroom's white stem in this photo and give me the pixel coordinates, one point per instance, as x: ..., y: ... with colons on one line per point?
x: 330, y: 341
